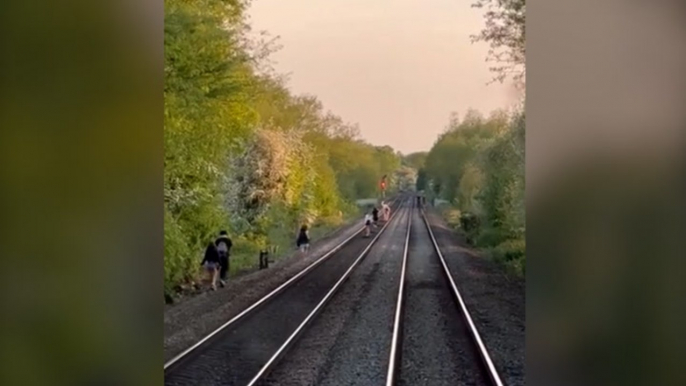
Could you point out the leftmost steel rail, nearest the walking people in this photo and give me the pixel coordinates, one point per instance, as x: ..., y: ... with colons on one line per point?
x: 267, y: 297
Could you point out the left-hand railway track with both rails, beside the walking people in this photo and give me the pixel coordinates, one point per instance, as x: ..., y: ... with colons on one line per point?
x: 245, y: 348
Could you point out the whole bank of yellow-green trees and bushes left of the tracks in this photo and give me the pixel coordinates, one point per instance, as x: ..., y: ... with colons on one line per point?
x: 242, y: 153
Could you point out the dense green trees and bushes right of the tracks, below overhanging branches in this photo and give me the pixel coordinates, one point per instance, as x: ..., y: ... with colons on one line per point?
x: 477, y: 165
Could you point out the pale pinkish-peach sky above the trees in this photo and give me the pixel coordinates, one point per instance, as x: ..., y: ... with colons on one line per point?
x: 398, y: 68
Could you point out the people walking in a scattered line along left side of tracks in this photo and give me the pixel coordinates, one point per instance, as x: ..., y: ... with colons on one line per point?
x: 217, y: 253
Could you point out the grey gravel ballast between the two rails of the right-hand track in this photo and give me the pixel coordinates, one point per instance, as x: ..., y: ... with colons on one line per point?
x: 436, y: 348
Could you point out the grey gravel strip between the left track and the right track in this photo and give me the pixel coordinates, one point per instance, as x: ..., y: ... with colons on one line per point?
x: 349, y: 342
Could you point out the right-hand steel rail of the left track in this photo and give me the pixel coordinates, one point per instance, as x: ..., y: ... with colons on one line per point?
x: 292, y: 338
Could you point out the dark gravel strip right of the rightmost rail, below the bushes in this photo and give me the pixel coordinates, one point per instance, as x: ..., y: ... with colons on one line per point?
x: 495, y: 300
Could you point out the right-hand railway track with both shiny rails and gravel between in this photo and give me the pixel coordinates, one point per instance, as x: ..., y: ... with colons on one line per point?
x: 435, y: 341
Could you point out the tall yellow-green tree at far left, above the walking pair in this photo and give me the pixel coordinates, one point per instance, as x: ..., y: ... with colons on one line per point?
x: 207, y: 91
